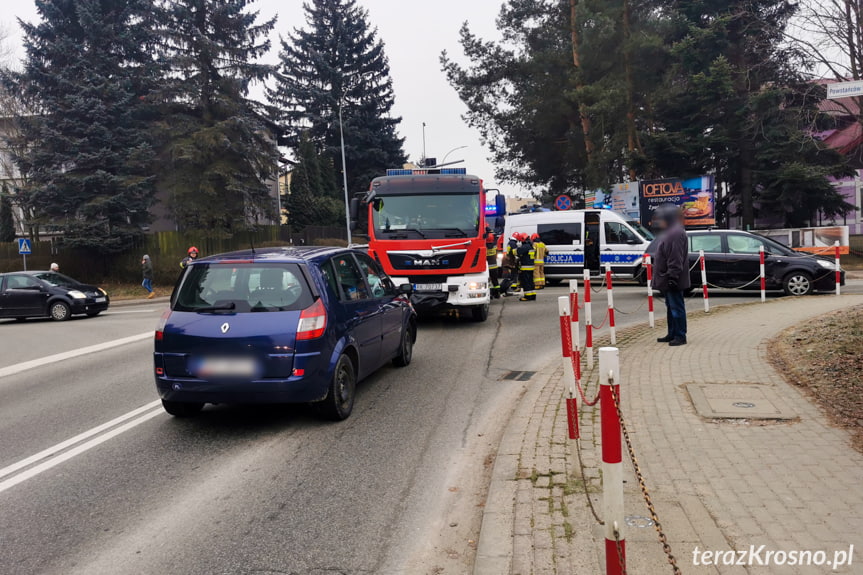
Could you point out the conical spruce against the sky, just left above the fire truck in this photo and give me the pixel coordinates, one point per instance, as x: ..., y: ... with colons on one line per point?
x: 338, y: 61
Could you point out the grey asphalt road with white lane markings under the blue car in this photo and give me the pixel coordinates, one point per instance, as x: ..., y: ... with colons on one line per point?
x: 95, y: 478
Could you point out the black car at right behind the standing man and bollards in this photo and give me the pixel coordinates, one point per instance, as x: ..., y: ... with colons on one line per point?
x: 732, y: 260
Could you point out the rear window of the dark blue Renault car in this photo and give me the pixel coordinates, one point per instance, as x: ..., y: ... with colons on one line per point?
x: 243, y: 288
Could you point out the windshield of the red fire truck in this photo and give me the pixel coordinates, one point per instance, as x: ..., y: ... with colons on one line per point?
x: 427, y: 216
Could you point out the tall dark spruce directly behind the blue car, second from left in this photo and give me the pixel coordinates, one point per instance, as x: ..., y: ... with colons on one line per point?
x: 220, y: 148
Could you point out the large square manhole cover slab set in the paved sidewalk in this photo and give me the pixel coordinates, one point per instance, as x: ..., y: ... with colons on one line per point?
x: 738, y: 401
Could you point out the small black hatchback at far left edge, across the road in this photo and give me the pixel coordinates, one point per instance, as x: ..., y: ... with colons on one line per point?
x: 48, y: 294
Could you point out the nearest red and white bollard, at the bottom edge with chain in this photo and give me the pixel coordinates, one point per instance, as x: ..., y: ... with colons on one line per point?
x: 612, y: 462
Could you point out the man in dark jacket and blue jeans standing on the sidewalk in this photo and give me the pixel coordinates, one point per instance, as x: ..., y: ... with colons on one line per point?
x: 671, y: 271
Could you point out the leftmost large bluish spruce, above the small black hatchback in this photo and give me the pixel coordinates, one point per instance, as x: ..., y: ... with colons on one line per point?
x: 89, y: 157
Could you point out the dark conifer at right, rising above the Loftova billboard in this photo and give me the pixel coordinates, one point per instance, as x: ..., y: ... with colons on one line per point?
x: 736, y: 104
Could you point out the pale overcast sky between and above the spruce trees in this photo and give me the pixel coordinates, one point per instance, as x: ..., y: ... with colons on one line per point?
x: 414, y: 33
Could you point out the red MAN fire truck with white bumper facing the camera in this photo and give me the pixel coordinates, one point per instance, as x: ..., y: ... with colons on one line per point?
x: 427, y: 228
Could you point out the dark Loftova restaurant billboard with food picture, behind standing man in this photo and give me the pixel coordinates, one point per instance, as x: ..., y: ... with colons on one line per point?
x: 695, y: 196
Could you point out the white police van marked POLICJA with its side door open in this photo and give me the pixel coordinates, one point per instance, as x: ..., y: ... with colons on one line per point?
x: 579, y: 239
